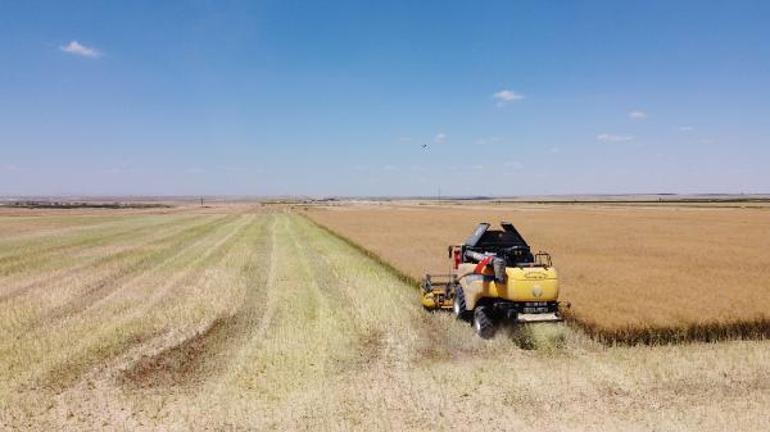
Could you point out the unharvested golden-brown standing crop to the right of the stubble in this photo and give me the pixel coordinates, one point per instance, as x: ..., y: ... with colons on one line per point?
x: 632, y: 273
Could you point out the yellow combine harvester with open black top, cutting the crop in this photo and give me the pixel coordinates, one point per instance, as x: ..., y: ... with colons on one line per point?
x: 495, y: 278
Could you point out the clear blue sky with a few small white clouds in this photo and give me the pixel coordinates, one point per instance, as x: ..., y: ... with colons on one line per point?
x: 337, y: 98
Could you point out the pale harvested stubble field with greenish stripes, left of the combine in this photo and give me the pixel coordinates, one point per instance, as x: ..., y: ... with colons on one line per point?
x: 242, y: 318
